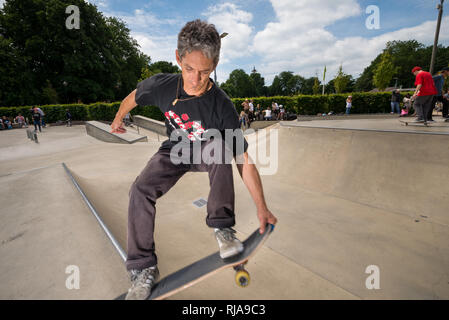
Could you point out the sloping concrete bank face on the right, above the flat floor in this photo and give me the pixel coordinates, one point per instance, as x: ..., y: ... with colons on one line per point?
x: 401, y: 172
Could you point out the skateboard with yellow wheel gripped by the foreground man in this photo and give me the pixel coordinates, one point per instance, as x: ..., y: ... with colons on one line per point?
x: 208, y: 266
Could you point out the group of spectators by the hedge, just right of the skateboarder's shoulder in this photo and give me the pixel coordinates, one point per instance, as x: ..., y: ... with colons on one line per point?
x: 252, y: 113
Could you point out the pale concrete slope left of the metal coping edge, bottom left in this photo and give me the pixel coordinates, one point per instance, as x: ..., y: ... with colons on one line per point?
x: 47, y: 230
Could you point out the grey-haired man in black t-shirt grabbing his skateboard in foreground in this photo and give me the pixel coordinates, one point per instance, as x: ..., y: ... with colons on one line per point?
x: 192, y: 105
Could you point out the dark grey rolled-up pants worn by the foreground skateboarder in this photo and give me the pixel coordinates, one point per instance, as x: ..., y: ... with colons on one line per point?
x: 159, y: 175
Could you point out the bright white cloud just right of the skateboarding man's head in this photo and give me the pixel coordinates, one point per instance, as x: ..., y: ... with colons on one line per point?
x: 227, y: 17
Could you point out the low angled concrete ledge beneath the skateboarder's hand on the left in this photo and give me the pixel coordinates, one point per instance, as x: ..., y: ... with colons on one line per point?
x: 102, y: 132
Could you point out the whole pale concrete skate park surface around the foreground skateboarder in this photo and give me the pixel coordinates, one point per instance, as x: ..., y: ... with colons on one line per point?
x: 348, y: 194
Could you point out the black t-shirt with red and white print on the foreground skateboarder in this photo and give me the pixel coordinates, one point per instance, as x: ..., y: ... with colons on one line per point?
x: 193, y: 117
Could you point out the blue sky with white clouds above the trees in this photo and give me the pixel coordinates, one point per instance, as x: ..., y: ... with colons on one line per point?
x: 272, y: 36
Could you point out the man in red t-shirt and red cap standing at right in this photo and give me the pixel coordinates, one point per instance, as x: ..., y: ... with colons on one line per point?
x: 423, y: 96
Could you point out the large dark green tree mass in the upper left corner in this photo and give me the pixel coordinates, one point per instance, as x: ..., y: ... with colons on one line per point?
x: 99, y: 61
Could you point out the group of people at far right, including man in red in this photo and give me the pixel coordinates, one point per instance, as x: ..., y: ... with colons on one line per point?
x: 428, y: 92
